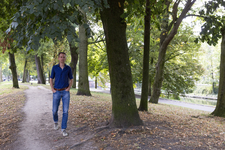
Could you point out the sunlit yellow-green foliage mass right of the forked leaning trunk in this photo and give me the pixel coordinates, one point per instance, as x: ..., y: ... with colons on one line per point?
x: 182, y: 67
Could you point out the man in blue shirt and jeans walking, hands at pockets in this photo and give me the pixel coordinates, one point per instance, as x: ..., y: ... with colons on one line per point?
x: 63, y: 82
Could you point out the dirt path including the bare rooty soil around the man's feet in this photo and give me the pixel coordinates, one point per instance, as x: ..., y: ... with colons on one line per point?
x: 36, y: 129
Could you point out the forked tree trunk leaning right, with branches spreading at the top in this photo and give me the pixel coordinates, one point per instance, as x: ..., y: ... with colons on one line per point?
x: 165, y: 39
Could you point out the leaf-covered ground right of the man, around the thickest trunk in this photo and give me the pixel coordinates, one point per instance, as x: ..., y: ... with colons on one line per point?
x: 165, y: 126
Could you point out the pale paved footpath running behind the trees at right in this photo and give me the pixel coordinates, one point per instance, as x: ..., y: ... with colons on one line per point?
x: 171, y: 102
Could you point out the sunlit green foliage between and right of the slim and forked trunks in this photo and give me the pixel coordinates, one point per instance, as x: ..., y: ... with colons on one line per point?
x: 182, y: 68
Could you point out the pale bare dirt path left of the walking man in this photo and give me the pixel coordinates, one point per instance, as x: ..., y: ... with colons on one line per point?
x: 37, y: 117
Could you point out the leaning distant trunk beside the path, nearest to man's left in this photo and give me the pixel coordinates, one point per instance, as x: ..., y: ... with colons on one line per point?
x: 40, y: 74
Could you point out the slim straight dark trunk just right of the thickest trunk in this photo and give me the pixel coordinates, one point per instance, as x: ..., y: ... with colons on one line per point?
x: 144, y: 91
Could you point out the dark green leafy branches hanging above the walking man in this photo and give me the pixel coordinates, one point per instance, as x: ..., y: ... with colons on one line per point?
x: 53, y: 19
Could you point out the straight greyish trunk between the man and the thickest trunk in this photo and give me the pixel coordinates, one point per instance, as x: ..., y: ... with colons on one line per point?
x: 83, y: 84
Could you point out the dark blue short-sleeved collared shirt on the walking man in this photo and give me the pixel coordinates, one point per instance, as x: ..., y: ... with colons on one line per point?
x: 61, y: 76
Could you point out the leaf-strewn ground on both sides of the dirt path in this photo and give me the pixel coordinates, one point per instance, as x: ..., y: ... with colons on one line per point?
x: 165, y: 126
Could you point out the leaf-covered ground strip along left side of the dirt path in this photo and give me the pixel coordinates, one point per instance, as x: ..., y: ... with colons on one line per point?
x: 11, y: 102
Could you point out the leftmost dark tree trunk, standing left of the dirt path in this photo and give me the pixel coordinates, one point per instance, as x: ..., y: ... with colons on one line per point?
x: 12, y: 67
